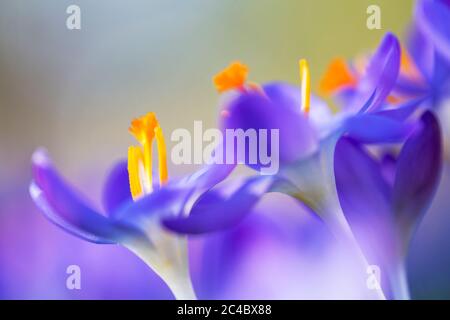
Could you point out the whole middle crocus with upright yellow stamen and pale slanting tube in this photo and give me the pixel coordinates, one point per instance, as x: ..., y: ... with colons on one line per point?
x: 308, y: 131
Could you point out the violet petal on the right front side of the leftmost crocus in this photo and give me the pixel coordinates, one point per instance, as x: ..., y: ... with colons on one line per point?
x: 215, y: 212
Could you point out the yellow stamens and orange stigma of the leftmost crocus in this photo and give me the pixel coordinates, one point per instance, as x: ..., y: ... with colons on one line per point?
x: 146, y: 129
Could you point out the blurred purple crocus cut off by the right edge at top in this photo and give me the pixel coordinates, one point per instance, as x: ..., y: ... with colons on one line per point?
x: 425, y: 73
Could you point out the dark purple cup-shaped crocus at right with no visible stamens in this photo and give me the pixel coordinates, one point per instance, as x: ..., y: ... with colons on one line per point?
x: 385, y: 200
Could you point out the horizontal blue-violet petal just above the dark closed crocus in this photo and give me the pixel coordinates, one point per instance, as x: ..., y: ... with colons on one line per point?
x: 371, y: 128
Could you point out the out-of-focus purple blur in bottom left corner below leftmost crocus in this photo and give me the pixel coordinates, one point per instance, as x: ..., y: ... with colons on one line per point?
x: 30, y: 246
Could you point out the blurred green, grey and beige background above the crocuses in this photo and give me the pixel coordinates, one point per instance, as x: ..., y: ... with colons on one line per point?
x: 75, y: 92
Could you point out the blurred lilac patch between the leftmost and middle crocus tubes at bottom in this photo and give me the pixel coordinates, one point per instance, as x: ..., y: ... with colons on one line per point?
x: 279, y: 251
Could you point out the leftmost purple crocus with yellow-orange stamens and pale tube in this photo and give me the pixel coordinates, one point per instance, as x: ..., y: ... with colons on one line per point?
x: 138, y: 209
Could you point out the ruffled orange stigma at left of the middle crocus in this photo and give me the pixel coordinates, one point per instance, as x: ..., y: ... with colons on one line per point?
x: 232, y: 77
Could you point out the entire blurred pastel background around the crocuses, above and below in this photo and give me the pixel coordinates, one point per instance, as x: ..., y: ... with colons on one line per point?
x: 75, y: 92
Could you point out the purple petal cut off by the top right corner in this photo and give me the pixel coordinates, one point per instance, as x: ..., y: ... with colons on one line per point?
x: 433, y: 17
